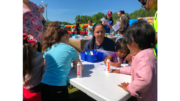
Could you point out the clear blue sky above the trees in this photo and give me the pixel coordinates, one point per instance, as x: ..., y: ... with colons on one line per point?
x: 67, y: 10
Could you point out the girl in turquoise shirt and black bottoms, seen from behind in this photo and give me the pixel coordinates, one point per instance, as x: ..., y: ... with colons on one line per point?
x: 58, y: 56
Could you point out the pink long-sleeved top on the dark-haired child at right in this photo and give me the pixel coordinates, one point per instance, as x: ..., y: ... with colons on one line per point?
x: 143, y: 73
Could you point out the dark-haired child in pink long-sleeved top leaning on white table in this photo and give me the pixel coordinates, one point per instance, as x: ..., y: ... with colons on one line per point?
x: 143, y: 70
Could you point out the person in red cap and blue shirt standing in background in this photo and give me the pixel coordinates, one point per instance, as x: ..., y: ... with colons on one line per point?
x: 108, y: 23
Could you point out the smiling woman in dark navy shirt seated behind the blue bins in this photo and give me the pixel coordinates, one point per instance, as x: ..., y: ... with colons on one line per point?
x: 99, y: 41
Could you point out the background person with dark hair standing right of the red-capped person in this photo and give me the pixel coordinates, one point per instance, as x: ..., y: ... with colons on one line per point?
x: 124, y: 26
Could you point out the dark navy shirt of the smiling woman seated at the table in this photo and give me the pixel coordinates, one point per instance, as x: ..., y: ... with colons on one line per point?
x: 108, y: 45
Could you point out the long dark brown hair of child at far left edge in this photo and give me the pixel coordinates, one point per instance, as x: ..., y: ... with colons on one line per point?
x: 28, y: 53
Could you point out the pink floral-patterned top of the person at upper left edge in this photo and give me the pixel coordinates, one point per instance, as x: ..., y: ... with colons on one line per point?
x: 32, y: 23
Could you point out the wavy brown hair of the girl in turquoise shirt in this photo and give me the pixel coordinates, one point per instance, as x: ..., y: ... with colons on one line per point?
x: 53, y: 35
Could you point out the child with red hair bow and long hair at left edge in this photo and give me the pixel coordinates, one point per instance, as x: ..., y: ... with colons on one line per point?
x: 33, y: 64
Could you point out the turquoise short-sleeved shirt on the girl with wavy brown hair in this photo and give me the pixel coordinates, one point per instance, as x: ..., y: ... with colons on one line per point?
x: 58, y: 64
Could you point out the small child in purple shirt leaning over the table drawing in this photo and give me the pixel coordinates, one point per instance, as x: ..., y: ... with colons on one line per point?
x: 117, y: 58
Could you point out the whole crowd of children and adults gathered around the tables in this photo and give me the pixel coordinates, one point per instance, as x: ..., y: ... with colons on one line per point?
x: 47, y: 72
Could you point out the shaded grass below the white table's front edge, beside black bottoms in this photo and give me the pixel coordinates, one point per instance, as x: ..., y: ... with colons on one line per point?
x: 77, y: 95
